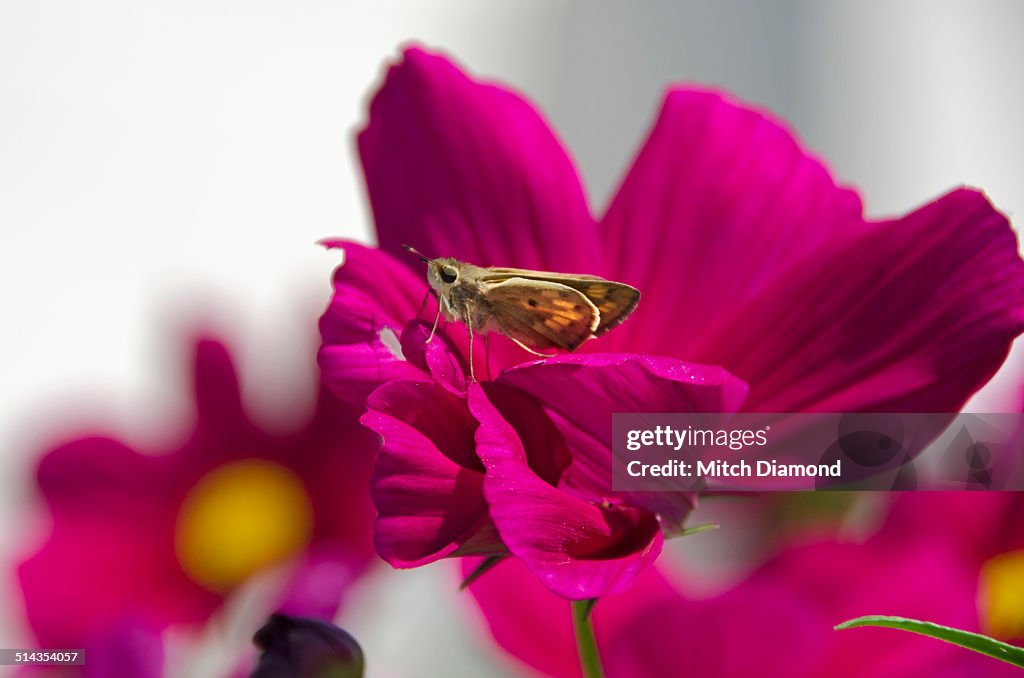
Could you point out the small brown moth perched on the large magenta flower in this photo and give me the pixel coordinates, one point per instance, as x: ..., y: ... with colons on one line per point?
x: 534, y: 309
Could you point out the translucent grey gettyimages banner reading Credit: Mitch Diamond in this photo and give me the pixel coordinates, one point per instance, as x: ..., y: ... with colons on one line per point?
x: 794, y: 452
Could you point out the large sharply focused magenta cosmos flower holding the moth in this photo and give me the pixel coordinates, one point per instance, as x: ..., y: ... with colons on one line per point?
x: 748, y: 256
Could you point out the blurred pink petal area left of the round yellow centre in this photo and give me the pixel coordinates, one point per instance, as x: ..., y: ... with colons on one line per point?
x: 110, y: 521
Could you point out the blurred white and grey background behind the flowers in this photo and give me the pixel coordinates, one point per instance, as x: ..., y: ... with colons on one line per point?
x: 169, y: 164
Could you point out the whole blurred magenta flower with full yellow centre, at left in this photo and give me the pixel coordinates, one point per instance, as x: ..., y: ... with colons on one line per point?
x: 145, y: 540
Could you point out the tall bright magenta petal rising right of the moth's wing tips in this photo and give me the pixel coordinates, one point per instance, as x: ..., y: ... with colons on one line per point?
x: 720, y: 201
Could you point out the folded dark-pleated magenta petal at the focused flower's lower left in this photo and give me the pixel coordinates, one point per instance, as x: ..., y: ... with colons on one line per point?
x: 428, y: 484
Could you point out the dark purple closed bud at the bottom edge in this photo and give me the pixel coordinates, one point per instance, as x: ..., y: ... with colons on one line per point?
x: 298, y: 648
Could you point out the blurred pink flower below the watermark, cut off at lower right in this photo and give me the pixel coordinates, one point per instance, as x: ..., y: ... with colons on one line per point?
x: 779, y: 622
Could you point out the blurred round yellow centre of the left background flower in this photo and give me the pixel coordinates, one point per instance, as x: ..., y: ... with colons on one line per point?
x: 239, y: 519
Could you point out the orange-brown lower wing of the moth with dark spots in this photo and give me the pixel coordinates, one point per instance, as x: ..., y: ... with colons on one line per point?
x: 542, y: 314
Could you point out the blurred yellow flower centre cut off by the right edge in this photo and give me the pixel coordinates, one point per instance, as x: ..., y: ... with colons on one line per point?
x: 1002, y: 596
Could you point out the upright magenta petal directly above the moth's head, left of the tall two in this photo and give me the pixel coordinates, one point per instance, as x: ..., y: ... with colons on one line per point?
x: 460, y: 168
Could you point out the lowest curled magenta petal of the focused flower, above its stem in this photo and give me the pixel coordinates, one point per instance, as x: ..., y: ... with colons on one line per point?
x: 578, y: 549
